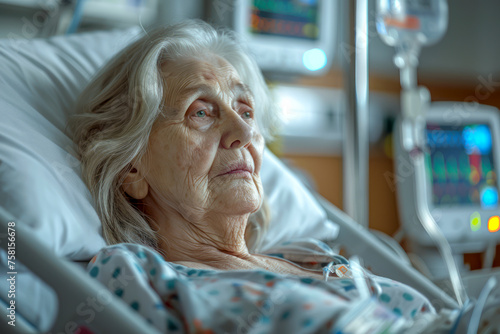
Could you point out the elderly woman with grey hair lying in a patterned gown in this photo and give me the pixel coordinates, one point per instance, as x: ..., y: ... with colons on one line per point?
x: 171, y: 136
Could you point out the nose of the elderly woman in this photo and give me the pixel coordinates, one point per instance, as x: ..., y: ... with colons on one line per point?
x: 237, y: 132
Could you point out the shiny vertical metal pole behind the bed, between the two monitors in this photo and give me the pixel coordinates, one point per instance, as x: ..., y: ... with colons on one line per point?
x: 356, y: 140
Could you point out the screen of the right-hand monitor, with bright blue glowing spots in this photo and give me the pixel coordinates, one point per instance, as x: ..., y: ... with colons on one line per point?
x: 461, y: 166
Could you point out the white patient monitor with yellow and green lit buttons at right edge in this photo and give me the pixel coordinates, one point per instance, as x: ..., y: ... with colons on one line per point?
x: 462, y: 164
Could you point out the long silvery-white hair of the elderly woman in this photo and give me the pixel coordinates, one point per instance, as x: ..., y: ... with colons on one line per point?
x: 116, y: 112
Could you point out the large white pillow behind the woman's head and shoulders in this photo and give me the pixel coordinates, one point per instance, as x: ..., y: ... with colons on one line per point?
x: 39, y: 174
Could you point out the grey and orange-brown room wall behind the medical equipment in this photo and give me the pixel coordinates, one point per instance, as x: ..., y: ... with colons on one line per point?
x: 462, y: 67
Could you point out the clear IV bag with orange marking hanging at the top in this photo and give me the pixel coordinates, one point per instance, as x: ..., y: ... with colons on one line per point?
x: 409, y: 24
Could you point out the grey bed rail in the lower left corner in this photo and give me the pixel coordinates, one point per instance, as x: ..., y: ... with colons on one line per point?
x: 72, y: 286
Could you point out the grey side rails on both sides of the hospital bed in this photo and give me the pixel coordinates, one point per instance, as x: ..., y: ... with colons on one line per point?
x: 73, y: 286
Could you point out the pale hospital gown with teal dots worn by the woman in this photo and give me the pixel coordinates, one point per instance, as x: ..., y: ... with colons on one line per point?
x: 178, y: 299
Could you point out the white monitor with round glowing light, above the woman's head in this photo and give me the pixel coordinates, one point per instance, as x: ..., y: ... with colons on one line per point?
x: 293, y: 36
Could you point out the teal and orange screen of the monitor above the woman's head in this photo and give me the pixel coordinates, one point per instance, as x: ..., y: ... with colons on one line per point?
x: 285, y: 18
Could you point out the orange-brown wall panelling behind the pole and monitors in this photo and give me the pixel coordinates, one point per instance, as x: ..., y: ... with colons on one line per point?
x: 326, y: 171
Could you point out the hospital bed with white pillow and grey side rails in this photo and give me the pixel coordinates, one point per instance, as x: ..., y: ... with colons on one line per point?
x: 55, y: 228
